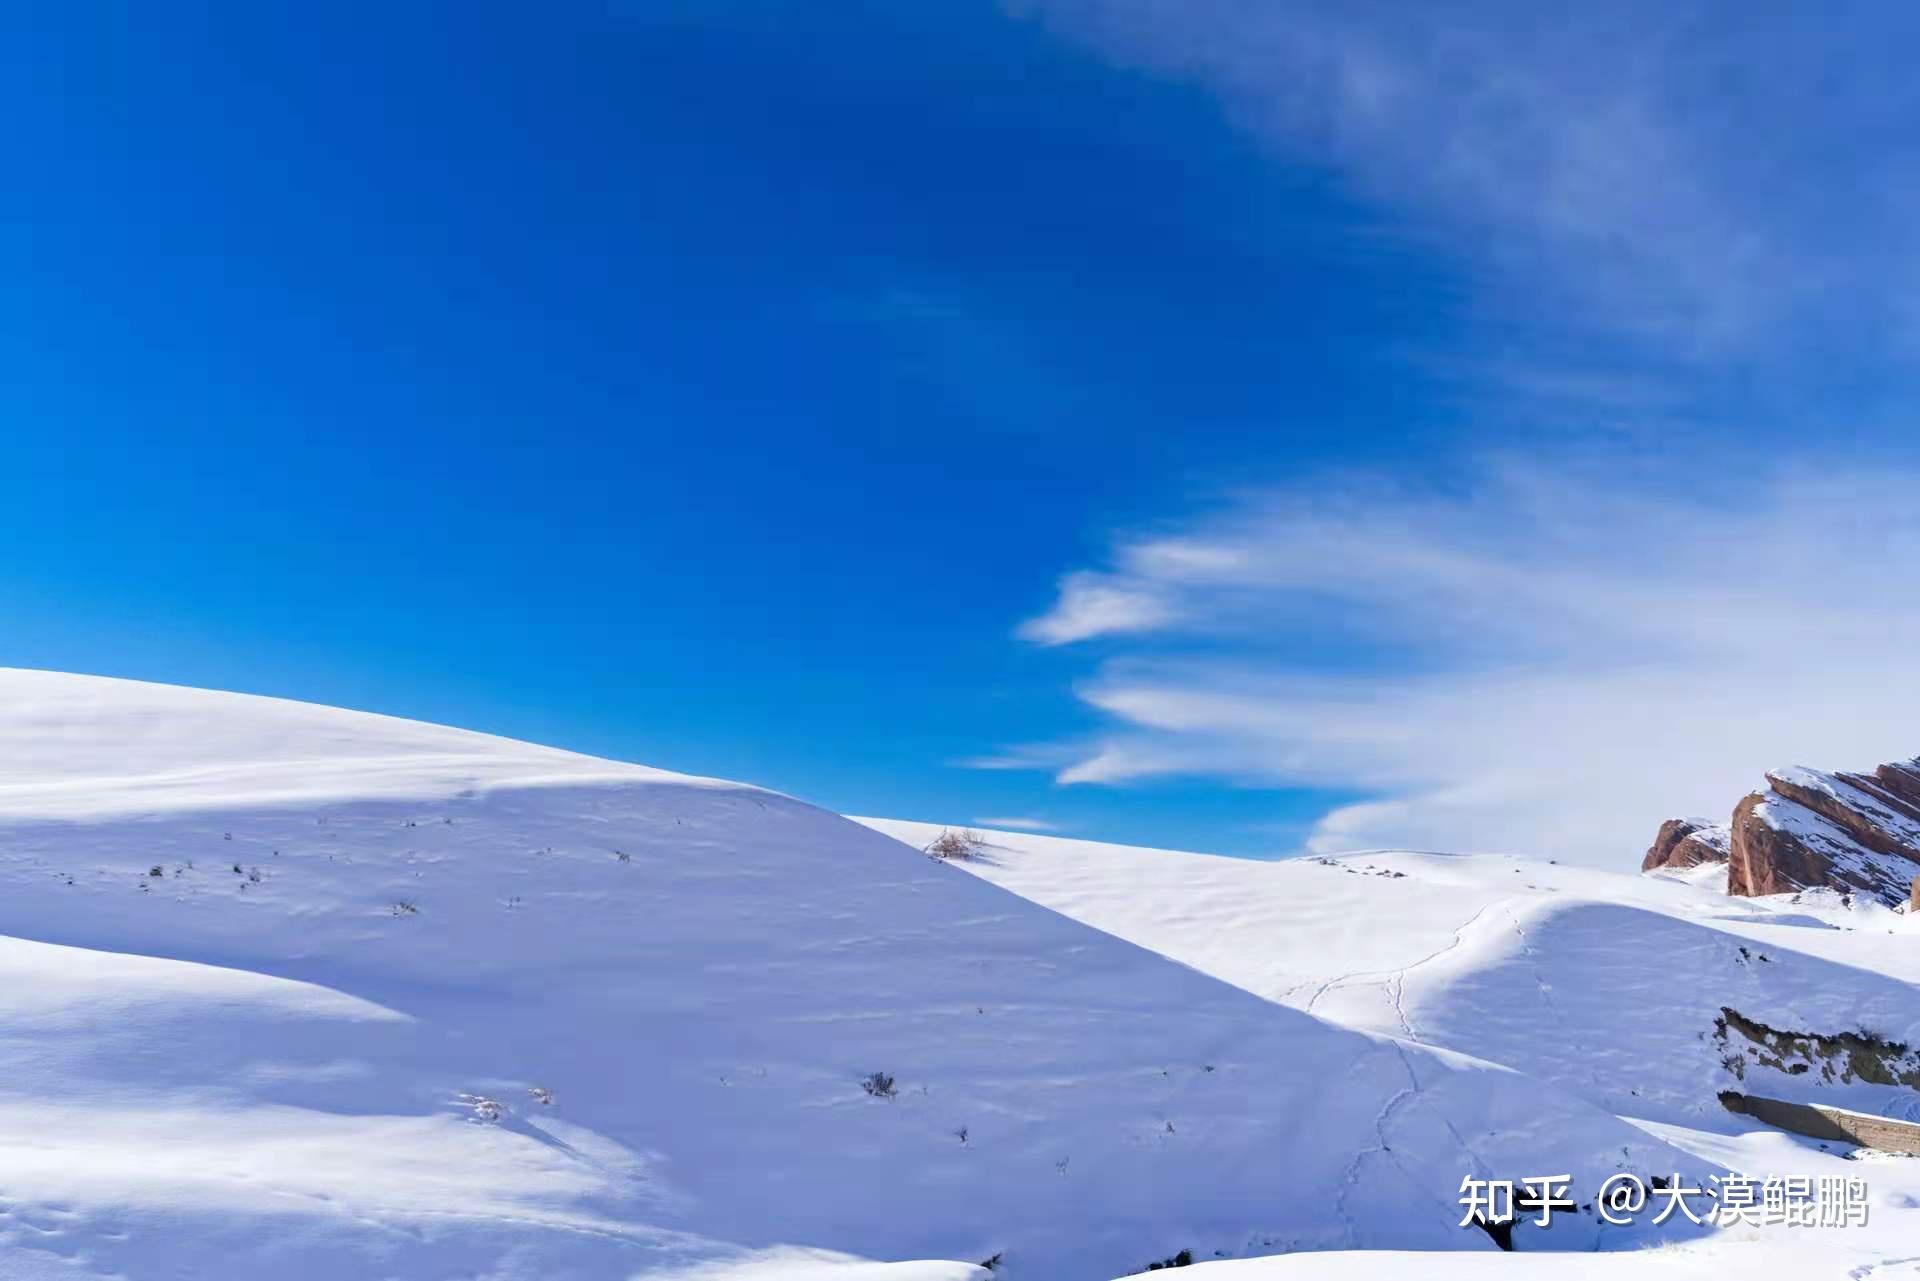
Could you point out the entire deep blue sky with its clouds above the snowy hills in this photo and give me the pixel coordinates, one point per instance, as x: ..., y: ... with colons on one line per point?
x: 1172, y: 408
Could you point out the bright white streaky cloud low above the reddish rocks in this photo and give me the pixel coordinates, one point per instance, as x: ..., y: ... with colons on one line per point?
x: 1548, y: 662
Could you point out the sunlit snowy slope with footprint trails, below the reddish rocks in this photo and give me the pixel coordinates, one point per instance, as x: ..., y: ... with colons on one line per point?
x: 1595, y: 984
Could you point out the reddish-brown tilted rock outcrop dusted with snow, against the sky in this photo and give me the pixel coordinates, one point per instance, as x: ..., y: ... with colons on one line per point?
x: 1810, y: 829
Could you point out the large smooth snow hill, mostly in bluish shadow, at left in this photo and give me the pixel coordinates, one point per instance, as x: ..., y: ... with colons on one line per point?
x: 310, y: 994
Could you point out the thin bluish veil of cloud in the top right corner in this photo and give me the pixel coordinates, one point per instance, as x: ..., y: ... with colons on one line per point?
x: 1696, y: 174
